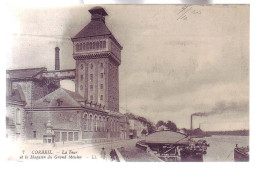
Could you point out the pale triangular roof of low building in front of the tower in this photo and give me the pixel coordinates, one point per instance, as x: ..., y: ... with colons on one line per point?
x: 60, y: 95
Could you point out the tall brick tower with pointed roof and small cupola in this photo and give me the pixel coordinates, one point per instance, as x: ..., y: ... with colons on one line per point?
x: 98, y: 56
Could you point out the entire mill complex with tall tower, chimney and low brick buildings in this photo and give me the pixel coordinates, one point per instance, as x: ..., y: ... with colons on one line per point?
x: 36, y: 102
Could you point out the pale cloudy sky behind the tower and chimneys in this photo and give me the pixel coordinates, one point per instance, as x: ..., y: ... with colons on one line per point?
x: 170, y: 68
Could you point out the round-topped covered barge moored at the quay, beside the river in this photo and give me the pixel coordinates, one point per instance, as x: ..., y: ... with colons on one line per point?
x: 173, y: 147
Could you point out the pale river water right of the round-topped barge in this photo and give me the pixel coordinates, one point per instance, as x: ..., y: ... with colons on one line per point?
x: 222, y: 147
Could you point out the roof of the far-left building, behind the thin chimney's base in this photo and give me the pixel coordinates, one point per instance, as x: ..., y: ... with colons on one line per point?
x: 24, y: 73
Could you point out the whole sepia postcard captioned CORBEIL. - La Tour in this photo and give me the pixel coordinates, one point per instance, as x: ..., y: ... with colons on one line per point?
x: 129, y: 83
